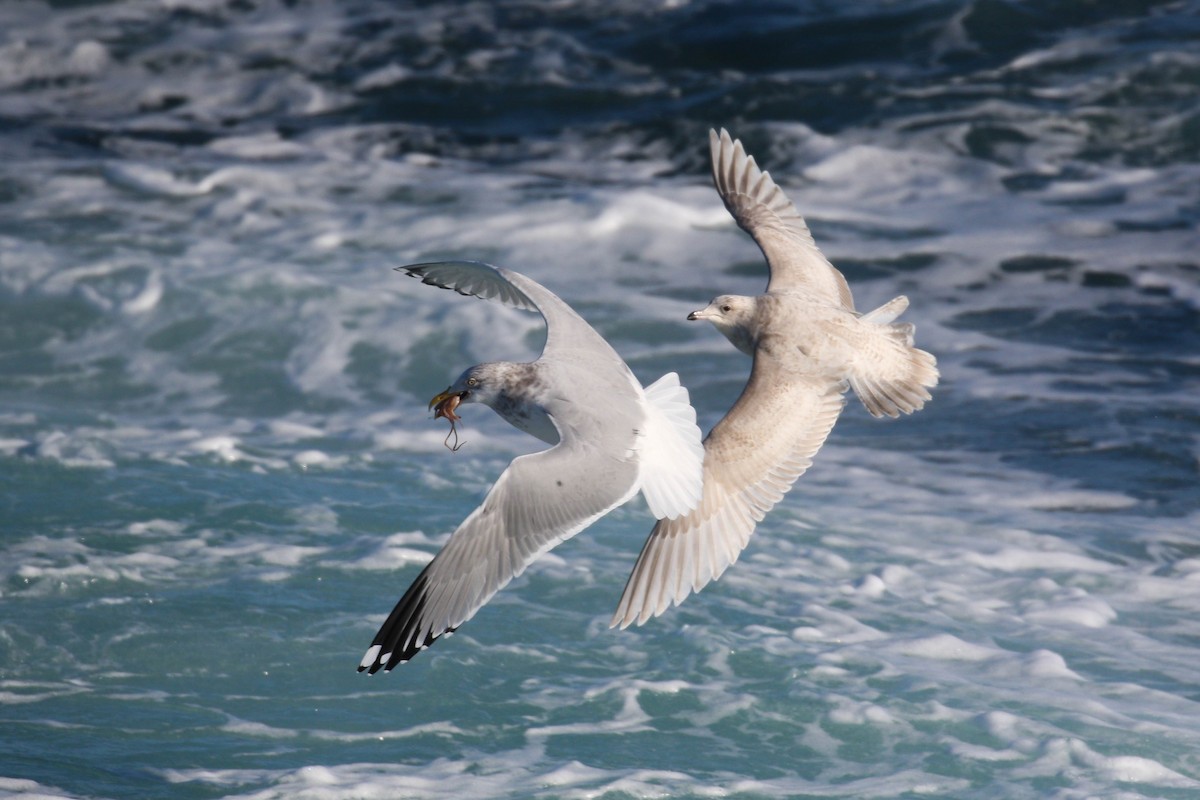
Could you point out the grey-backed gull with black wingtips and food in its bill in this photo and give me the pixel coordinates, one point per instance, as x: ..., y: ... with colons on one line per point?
x: 610, y: 440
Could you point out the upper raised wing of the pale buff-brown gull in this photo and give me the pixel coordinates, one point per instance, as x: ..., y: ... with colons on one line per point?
x: 764, y: 212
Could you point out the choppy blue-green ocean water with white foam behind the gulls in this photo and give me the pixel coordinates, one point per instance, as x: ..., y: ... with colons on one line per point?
x: 218, y: 472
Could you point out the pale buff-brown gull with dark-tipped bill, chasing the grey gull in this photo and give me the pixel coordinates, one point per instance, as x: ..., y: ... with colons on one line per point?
x: 809, y: 347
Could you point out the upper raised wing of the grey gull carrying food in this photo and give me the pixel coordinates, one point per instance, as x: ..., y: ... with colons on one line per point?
x: 565, y: 328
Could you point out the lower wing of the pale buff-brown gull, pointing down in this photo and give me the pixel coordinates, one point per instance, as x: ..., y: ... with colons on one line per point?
x: 752, y: 459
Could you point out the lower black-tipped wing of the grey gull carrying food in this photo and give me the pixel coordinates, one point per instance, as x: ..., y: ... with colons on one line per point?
x: 539, y: 501
